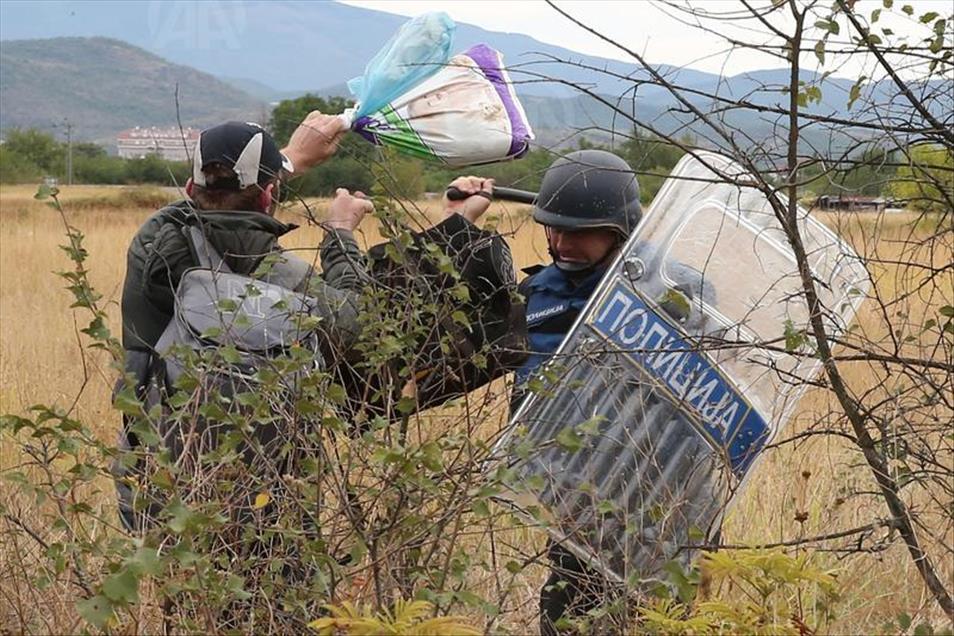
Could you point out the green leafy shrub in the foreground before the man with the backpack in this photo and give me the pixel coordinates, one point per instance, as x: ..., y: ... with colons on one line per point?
x: 369, y: 507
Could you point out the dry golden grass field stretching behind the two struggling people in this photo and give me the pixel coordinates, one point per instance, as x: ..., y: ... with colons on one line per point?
x: 42, y: 360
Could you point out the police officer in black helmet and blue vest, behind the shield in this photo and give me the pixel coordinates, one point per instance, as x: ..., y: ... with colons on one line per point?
x: 589, y: 204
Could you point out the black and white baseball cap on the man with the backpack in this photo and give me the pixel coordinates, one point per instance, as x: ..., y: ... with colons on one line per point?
x: 246, y: 148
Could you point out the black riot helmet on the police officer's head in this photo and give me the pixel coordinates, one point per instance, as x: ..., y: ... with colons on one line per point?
x: 589, y: 189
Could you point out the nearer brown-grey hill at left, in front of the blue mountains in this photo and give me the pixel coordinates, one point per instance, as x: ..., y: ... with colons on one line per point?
x: 103, y: 86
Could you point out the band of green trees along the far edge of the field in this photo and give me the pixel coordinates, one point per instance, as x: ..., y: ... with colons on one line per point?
x: 29, y: 155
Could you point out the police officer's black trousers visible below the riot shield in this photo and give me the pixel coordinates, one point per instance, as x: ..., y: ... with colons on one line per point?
x: 571, y: 590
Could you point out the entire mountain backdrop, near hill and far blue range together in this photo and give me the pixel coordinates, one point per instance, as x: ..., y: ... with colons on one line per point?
x: 111, y: 65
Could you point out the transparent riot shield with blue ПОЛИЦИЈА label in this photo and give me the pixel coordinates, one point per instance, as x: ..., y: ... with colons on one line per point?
x: 685, y: 363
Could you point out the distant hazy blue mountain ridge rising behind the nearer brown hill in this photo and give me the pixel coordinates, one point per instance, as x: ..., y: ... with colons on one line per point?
x: 289, y: 46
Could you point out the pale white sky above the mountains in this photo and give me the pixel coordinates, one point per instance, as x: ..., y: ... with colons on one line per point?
x: 649, y: 27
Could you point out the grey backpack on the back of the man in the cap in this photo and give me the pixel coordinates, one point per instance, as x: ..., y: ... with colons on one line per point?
x: 232, y: 327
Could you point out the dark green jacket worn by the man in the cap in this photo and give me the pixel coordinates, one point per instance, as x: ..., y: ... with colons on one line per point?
x: 158, y: 257
